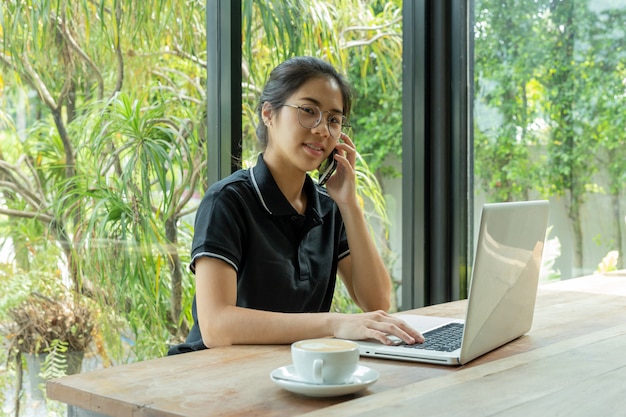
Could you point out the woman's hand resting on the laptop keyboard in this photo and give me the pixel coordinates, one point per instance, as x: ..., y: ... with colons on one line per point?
x: 376, y: 325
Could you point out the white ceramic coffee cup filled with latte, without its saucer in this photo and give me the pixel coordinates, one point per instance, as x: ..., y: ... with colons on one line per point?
x: 325, y: 361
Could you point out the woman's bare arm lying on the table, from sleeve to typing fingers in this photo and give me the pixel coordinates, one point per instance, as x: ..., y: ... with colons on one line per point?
x: 223, y: 323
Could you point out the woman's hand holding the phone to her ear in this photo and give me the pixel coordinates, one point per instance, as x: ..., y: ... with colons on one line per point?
x: 341, y: 185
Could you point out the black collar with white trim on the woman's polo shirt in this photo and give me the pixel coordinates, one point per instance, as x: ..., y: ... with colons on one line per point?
x: 273, y: 199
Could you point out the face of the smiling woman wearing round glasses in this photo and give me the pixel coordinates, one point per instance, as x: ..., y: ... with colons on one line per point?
x: 292, y: 146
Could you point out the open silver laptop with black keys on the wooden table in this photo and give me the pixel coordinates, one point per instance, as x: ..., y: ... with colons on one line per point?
x: 502, y: 291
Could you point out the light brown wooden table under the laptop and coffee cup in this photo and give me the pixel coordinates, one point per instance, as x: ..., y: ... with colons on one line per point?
x: 571, y: 363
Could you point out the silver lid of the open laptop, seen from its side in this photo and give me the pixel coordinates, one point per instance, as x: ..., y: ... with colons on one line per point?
x: 505, y: 275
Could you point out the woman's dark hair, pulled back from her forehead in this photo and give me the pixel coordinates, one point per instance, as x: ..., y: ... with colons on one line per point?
x: 288, y: 77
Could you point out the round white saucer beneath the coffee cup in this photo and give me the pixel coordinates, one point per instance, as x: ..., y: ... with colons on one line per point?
x: 286, y: 378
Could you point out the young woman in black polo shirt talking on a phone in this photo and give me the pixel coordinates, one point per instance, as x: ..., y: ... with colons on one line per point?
x: 269, y: 241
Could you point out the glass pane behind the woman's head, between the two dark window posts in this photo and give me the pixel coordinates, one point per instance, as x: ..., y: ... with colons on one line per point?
x: 364, y: 41
